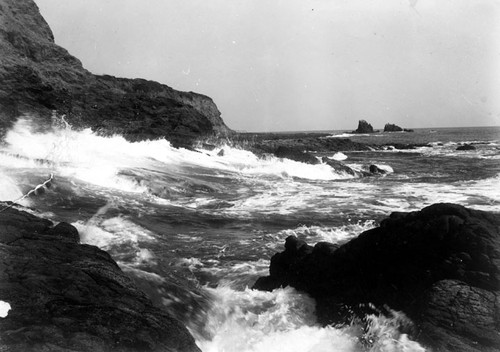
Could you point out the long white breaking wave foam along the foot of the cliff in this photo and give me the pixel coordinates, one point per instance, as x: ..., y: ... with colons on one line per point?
x: 100, y: 160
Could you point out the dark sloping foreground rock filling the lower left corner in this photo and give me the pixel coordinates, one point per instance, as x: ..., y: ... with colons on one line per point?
x: 67, y: 296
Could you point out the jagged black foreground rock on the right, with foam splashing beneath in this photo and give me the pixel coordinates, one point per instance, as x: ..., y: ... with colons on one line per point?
x: 440, y: 265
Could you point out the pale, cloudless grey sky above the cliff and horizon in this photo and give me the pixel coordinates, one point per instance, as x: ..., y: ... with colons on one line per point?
x: 301, y: 65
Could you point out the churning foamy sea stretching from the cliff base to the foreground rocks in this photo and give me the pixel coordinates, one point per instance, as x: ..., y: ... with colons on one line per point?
x: 195, y: 229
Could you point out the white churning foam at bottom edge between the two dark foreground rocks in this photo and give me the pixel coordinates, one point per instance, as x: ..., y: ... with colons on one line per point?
x: 284, y: 320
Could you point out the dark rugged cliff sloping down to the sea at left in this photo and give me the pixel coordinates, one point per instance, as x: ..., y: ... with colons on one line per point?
x: 39, y: 78
